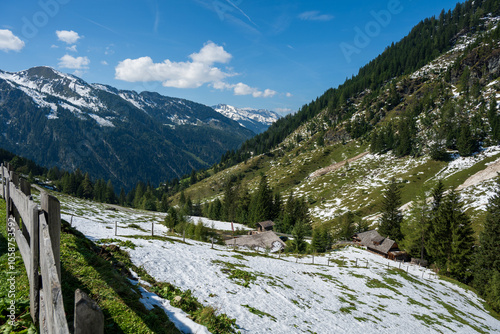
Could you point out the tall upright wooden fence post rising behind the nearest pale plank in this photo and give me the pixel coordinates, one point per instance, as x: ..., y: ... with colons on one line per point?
x: 52, y: 208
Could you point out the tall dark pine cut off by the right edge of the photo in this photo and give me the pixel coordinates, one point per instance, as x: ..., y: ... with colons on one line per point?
x: 487, y: 259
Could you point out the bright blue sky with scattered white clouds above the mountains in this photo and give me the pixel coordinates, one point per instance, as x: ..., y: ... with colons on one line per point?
x: 272, y: 54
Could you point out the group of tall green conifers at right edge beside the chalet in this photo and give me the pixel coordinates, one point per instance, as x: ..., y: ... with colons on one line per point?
x: 439, y: 230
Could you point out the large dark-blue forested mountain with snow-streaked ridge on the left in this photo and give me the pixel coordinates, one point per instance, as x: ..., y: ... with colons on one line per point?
x: 58, y: 119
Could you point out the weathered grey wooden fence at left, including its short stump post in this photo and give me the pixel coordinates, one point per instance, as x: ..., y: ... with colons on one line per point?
x: 37, y: 233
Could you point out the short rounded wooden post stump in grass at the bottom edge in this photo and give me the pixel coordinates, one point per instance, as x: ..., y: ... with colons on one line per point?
x: 88, y: 315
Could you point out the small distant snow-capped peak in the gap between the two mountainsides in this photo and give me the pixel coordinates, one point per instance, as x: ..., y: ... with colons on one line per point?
x: 257, y: 120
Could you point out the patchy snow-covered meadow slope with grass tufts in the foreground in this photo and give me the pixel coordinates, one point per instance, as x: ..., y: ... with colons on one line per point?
x: 347, y: 291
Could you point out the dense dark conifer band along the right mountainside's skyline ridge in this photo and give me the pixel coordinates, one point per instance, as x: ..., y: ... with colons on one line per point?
x: 424, y: 43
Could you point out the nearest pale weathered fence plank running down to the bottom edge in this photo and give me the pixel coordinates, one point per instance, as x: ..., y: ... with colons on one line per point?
x: 52, y: 293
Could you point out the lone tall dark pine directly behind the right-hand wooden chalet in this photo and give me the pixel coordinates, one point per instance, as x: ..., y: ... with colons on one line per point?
x: 390, y: 222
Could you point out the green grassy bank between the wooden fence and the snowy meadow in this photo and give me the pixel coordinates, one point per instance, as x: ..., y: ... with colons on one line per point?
x: 102, y: 278
